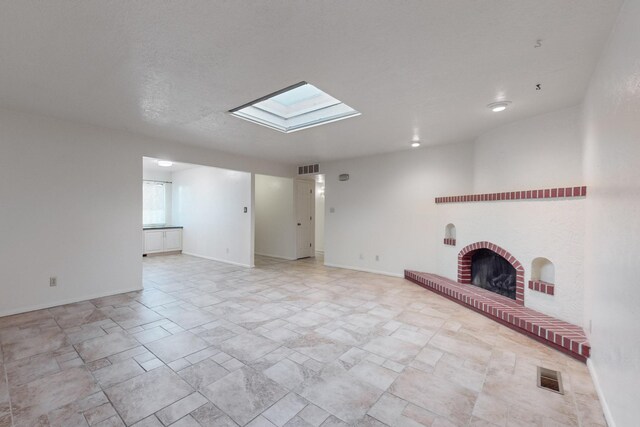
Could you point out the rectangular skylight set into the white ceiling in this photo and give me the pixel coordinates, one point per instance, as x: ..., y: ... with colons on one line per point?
x: 294, y: 108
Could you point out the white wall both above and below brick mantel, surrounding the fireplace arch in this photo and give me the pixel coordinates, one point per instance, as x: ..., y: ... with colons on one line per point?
x: 544, y: 151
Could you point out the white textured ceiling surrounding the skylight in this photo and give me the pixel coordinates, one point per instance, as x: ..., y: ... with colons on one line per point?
x: 174, y: 69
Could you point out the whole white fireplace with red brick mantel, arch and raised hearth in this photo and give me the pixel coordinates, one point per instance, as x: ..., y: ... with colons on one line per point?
x: 543, y: 227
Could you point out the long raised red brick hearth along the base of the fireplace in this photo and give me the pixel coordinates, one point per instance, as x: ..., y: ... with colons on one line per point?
x: 558, y: 334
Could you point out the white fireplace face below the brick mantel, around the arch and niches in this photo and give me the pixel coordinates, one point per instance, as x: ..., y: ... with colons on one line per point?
x: 528, y: 230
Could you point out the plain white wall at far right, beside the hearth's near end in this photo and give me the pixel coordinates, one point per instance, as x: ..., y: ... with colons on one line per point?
x: 612, y: 248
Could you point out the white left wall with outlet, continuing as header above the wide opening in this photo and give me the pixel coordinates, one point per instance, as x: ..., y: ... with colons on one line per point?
x: 71, y: 207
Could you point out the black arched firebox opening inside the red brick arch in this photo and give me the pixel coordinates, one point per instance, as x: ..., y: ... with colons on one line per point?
x: 492, y: 272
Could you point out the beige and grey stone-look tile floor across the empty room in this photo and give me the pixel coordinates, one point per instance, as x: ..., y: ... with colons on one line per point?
x: 284, y: 344
